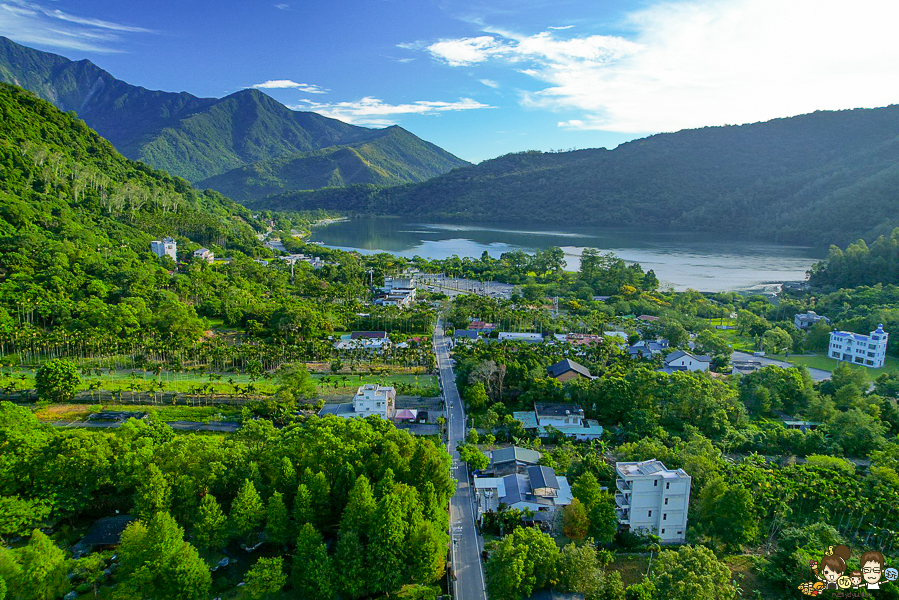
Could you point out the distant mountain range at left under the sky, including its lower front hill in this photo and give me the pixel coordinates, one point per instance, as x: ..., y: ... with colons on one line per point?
x: 246, y: 142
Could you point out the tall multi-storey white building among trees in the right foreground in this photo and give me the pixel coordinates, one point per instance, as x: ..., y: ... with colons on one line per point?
x: 653, y: 498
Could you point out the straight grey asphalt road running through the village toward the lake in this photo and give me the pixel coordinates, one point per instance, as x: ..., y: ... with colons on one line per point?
x: 469, y: 582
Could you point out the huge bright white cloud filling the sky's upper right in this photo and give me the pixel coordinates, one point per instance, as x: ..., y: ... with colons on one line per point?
x: 691, y: 63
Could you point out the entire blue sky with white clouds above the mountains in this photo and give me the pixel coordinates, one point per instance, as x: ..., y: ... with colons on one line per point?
x: 485, y: 78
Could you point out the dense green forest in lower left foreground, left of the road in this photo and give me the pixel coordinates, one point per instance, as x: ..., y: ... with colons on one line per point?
x: 349, y: 509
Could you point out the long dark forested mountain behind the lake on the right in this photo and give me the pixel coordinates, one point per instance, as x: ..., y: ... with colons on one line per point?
x: 825, y: 177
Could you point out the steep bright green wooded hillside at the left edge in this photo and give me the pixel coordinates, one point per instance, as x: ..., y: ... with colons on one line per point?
x: 77, y: 218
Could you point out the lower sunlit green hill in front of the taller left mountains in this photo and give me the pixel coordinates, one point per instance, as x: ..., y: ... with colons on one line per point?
x: 395, y: 157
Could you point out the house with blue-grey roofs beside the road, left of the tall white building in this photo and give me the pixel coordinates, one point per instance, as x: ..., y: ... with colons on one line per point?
x: 536, y: 488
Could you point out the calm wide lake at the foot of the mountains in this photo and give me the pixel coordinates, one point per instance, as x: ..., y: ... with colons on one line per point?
x: 680, y: 260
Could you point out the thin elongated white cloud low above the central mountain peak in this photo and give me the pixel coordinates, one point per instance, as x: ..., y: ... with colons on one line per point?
x: 374, y: 111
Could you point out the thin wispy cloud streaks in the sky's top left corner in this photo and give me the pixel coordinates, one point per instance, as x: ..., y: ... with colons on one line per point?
x: 32, y: 22
